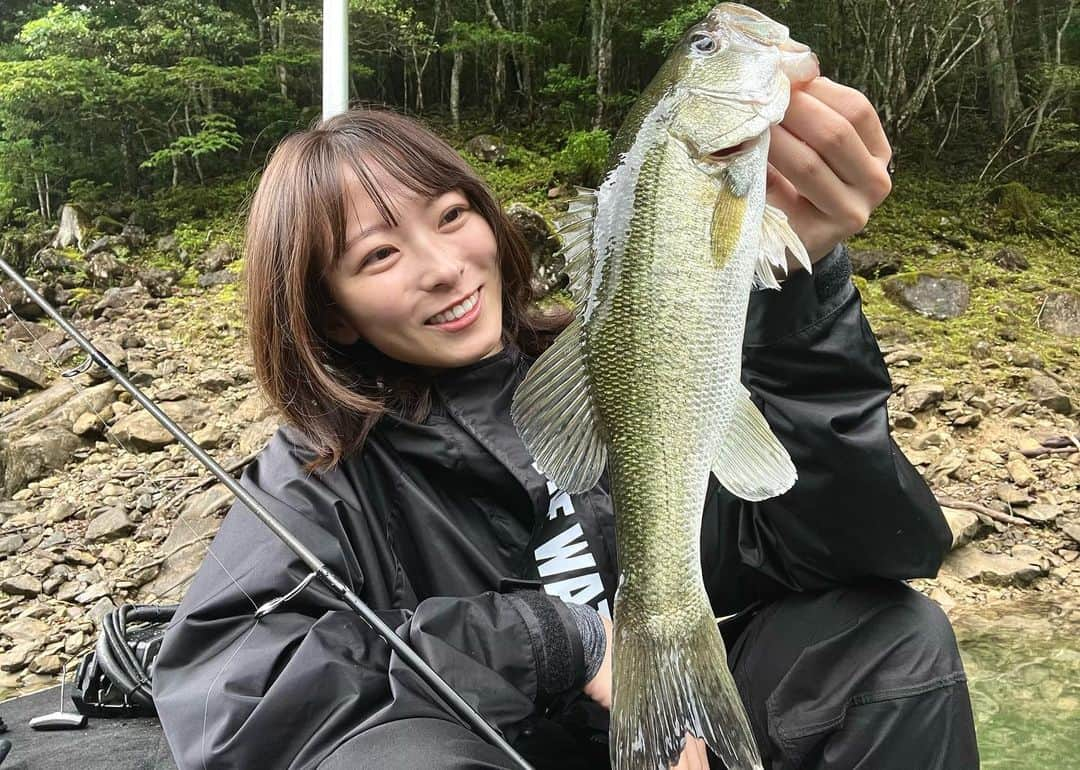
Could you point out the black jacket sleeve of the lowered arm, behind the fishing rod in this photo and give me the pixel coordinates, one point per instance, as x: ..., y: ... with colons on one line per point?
x: 286, y: 688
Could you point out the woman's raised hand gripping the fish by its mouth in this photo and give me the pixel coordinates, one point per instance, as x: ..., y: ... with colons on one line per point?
x: 829, y: 165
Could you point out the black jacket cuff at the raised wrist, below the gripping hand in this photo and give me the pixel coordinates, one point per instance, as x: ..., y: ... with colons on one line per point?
x: 803, y: 301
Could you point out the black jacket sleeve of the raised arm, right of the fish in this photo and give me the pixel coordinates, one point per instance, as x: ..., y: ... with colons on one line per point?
x: 859, y: 508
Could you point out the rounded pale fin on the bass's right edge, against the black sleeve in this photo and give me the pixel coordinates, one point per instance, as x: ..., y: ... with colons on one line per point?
x: 753, y: 465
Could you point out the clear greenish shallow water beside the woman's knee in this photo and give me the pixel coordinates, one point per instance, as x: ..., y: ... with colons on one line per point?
x: 1024, y: 677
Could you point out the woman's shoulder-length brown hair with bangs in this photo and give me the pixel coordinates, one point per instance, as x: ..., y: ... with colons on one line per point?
x: 296, y: 232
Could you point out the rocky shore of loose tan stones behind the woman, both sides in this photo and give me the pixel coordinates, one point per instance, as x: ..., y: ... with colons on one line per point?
x: 93, y: 518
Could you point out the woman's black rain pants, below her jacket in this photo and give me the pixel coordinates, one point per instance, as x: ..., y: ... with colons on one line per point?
x: 863, y: 678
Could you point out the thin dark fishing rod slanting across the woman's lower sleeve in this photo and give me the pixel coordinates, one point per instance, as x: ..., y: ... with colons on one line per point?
x: 451, y: 699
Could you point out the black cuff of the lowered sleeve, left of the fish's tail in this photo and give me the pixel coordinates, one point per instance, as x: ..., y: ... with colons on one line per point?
x: 557, y: 642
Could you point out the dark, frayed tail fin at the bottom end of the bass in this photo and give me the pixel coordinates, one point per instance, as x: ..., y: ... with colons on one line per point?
x: 665, y: 687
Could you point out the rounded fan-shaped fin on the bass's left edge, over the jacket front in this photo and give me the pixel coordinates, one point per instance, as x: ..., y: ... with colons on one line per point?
x: 553, y: 413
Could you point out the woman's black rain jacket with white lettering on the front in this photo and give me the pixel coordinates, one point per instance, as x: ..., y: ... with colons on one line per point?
x: 437, y: 526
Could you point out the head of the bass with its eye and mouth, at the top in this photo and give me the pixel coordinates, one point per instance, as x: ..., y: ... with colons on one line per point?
x: 728, y: 80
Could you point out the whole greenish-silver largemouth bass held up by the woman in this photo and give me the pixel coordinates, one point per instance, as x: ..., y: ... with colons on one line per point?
x: 646, y: 381
